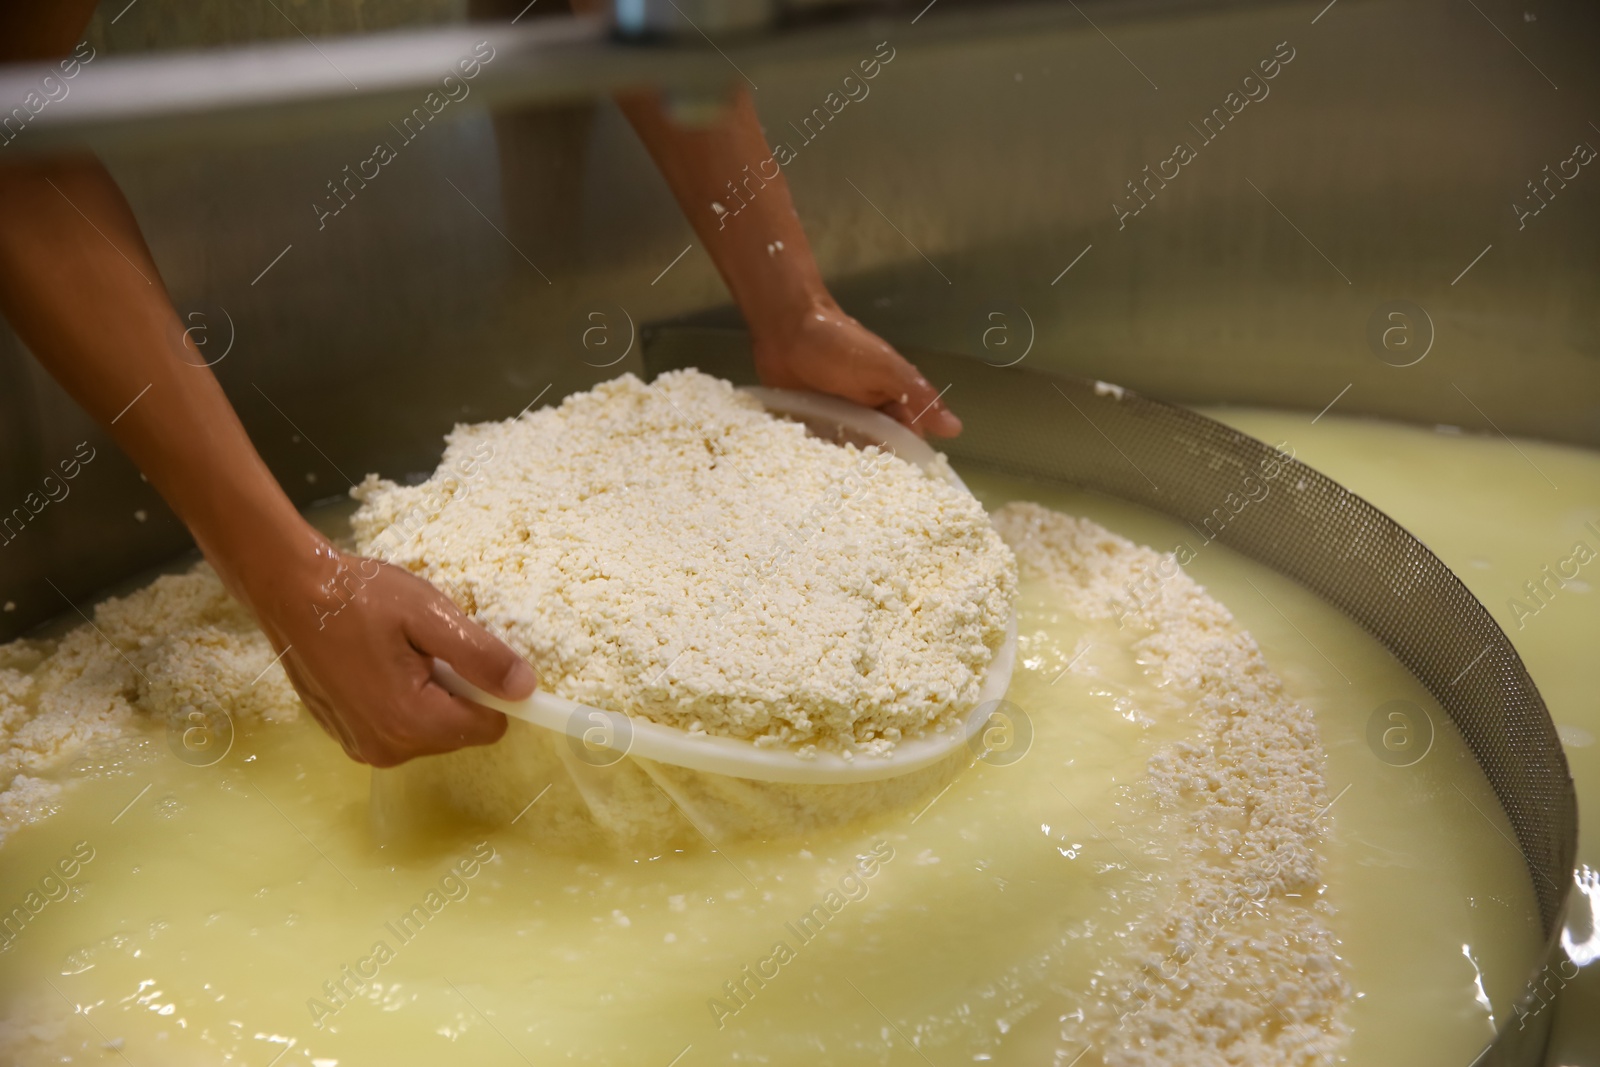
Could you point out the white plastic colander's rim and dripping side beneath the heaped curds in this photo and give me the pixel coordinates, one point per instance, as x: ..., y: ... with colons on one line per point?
x: 630, y: 780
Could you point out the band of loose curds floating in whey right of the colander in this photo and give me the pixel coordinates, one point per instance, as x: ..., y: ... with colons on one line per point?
x: 1242, y: 909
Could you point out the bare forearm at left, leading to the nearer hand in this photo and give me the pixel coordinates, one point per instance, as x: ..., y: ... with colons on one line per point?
x: 81, y: 289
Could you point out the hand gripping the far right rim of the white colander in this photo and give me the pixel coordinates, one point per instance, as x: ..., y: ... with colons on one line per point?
x: 828, y: 351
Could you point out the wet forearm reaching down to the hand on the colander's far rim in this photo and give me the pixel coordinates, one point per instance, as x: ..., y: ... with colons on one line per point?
x: 753, y: 233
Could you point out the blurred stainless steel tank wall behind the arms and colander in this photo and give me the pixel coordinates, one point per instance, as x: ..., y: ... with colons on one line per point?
x: 1390, y: 225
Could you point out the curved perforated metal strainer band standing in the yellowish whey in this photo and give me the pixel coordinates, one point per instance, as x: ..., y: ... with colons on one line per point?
x: 1102, y: 438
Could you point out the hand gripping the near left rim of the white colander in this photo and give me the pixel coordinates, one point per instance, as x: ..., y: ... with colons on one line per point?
x: 362, y: 637
